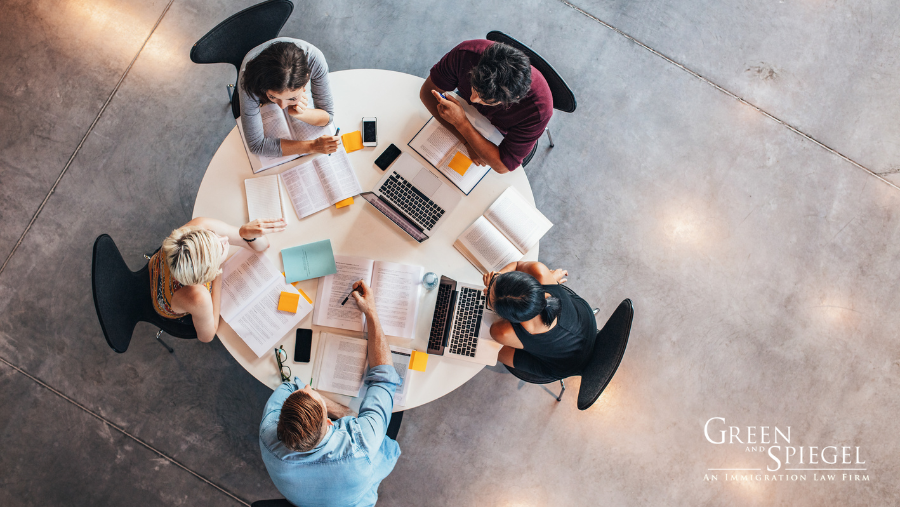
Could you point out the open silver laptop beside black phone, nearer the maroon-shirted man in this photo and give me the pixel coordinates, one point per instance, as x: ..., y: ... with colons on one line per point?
x: 413, y: 197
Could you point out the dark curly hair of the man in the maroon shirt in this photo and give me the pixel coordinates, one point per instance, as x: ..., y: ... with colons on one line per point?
x: 503, y: 74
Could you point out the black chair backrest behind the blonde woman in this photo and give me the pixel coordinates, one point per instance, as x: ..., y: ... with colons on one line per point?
x: 117, y: 293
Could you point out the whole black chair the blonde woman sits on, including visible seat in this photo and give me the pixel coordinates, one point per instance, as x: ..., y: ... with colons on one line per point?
x: 122, y: 299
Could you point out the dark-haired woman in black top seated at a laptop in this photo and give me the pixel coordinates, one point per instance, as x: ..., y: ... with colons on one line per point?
x: 547, y: 329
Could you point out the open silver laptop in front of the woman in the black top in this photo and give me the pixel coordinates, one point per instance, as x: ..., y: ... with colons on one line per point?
x: 461, y: 326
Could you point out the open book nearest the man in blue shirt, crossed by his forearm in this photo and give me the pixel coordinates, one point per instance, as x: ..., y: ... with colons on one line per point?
x: 343, y: 365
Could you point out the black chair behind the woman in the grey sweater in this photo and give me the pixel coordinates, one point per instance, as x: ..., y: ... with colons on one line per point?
x: 232, y: 39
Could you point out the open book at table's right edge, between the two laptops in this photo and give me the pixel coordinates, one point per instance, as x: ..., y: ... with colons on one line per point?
x: 508, y: 230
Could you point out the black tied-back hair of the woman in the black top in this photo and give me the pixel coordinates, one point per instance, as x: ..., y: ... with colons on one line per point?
x: 518, y: 296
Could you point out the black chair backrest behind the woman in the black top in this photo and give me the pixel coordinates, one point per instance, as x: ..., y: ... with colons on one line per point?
x: 609, y: 347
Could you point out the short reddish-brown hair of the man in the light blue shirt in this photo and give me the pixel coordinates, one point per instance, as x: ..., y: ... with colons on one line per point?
x: 301, y: 424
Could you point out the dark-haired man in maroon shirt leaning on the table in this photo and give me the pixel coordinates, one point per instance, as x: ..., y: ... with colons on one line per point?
x: 499, y: 81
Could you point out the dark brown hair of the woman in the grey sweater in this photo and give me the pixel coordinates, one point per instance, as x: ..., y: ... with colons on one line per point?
x: 281, y: 66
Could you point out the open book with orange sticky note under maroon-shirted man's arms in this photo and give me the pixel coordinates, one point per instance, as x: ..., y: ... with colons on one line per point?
x: 438, y: 146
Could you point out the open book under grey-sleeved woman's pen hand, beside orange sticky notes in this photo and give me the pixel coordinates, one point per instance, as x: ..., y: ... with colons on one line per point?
x: 320, y: 183
